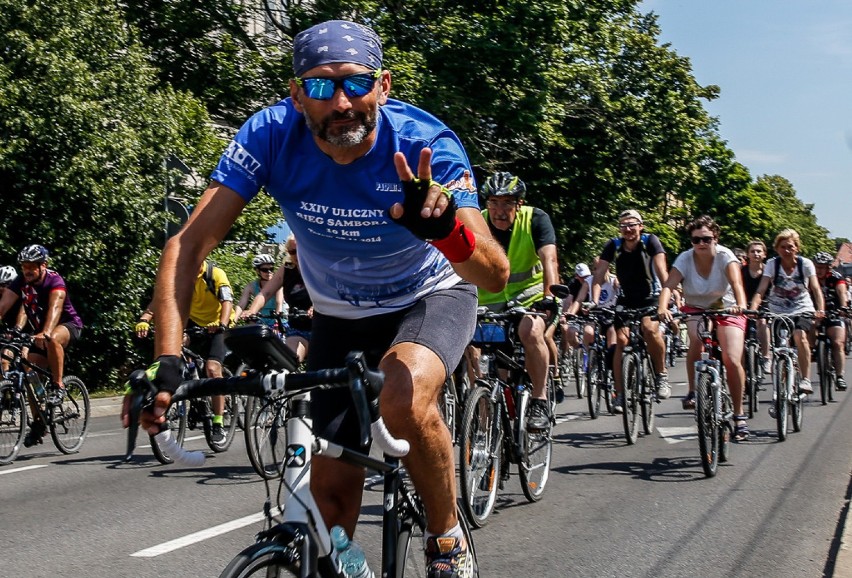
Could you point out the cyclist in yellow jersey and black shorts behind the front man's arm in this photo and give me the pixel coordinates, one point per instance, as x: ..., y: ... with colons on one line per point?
x: 211, y: 308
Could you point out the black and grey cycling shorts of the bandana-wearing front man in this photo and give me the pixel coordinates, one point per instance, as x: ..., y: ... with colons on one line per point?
x: 443, y: 322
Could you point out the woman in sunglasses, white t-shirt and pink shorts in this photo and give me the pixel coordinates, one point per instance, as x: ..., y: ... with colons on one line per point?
x: 710, y: 276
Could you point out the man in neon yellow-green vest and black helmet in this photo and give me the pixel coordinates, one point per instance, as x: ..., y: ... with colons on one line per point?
x: 527, y: 235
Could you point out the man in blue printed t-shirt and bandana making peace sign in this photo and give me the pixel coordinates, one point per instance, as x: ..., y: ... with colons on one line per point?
x: 389, y: 259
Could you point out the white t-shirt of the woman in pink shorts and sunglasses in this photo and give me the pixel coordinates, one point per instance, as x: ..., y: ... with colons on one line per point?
x: 713, y: 292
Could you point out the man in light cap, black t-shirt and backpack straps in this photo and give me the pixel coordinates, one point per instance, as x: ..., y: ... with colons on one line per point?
x: 640, y: 266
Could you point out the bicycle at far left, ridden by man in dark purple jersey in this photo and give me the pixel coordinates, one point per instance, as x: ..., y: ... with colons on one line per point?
x: 23, y: 402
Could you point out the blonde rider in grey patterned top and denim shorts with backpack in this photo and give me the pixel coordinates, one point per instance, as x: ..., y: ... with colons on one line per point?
x: 796, y: 292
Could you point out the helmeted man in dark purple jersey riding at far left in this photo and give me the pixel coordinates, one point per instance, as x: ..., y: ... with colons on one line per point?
x: 55, y: 324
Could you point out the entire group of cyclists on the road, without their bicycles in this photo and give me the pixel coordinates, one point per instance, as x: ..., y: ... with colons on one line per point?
x: 394, y: 257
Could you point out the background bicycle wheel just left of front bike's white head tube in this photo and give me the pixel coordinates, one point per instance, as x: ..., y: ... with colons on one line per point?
x: 266, y: 435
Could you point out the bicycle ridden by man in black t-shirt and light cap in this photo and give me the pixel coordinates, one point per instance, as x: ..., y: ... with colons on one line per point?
x: 640, y: 393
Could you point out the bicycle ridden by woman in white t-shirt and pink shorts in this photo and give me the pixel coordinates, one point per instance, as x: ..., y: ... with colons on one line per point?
x: 713, y: 403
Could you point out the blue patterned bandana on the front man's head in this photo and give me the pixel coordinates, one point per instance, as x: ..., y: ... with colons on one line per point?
x: 336, y: 41
